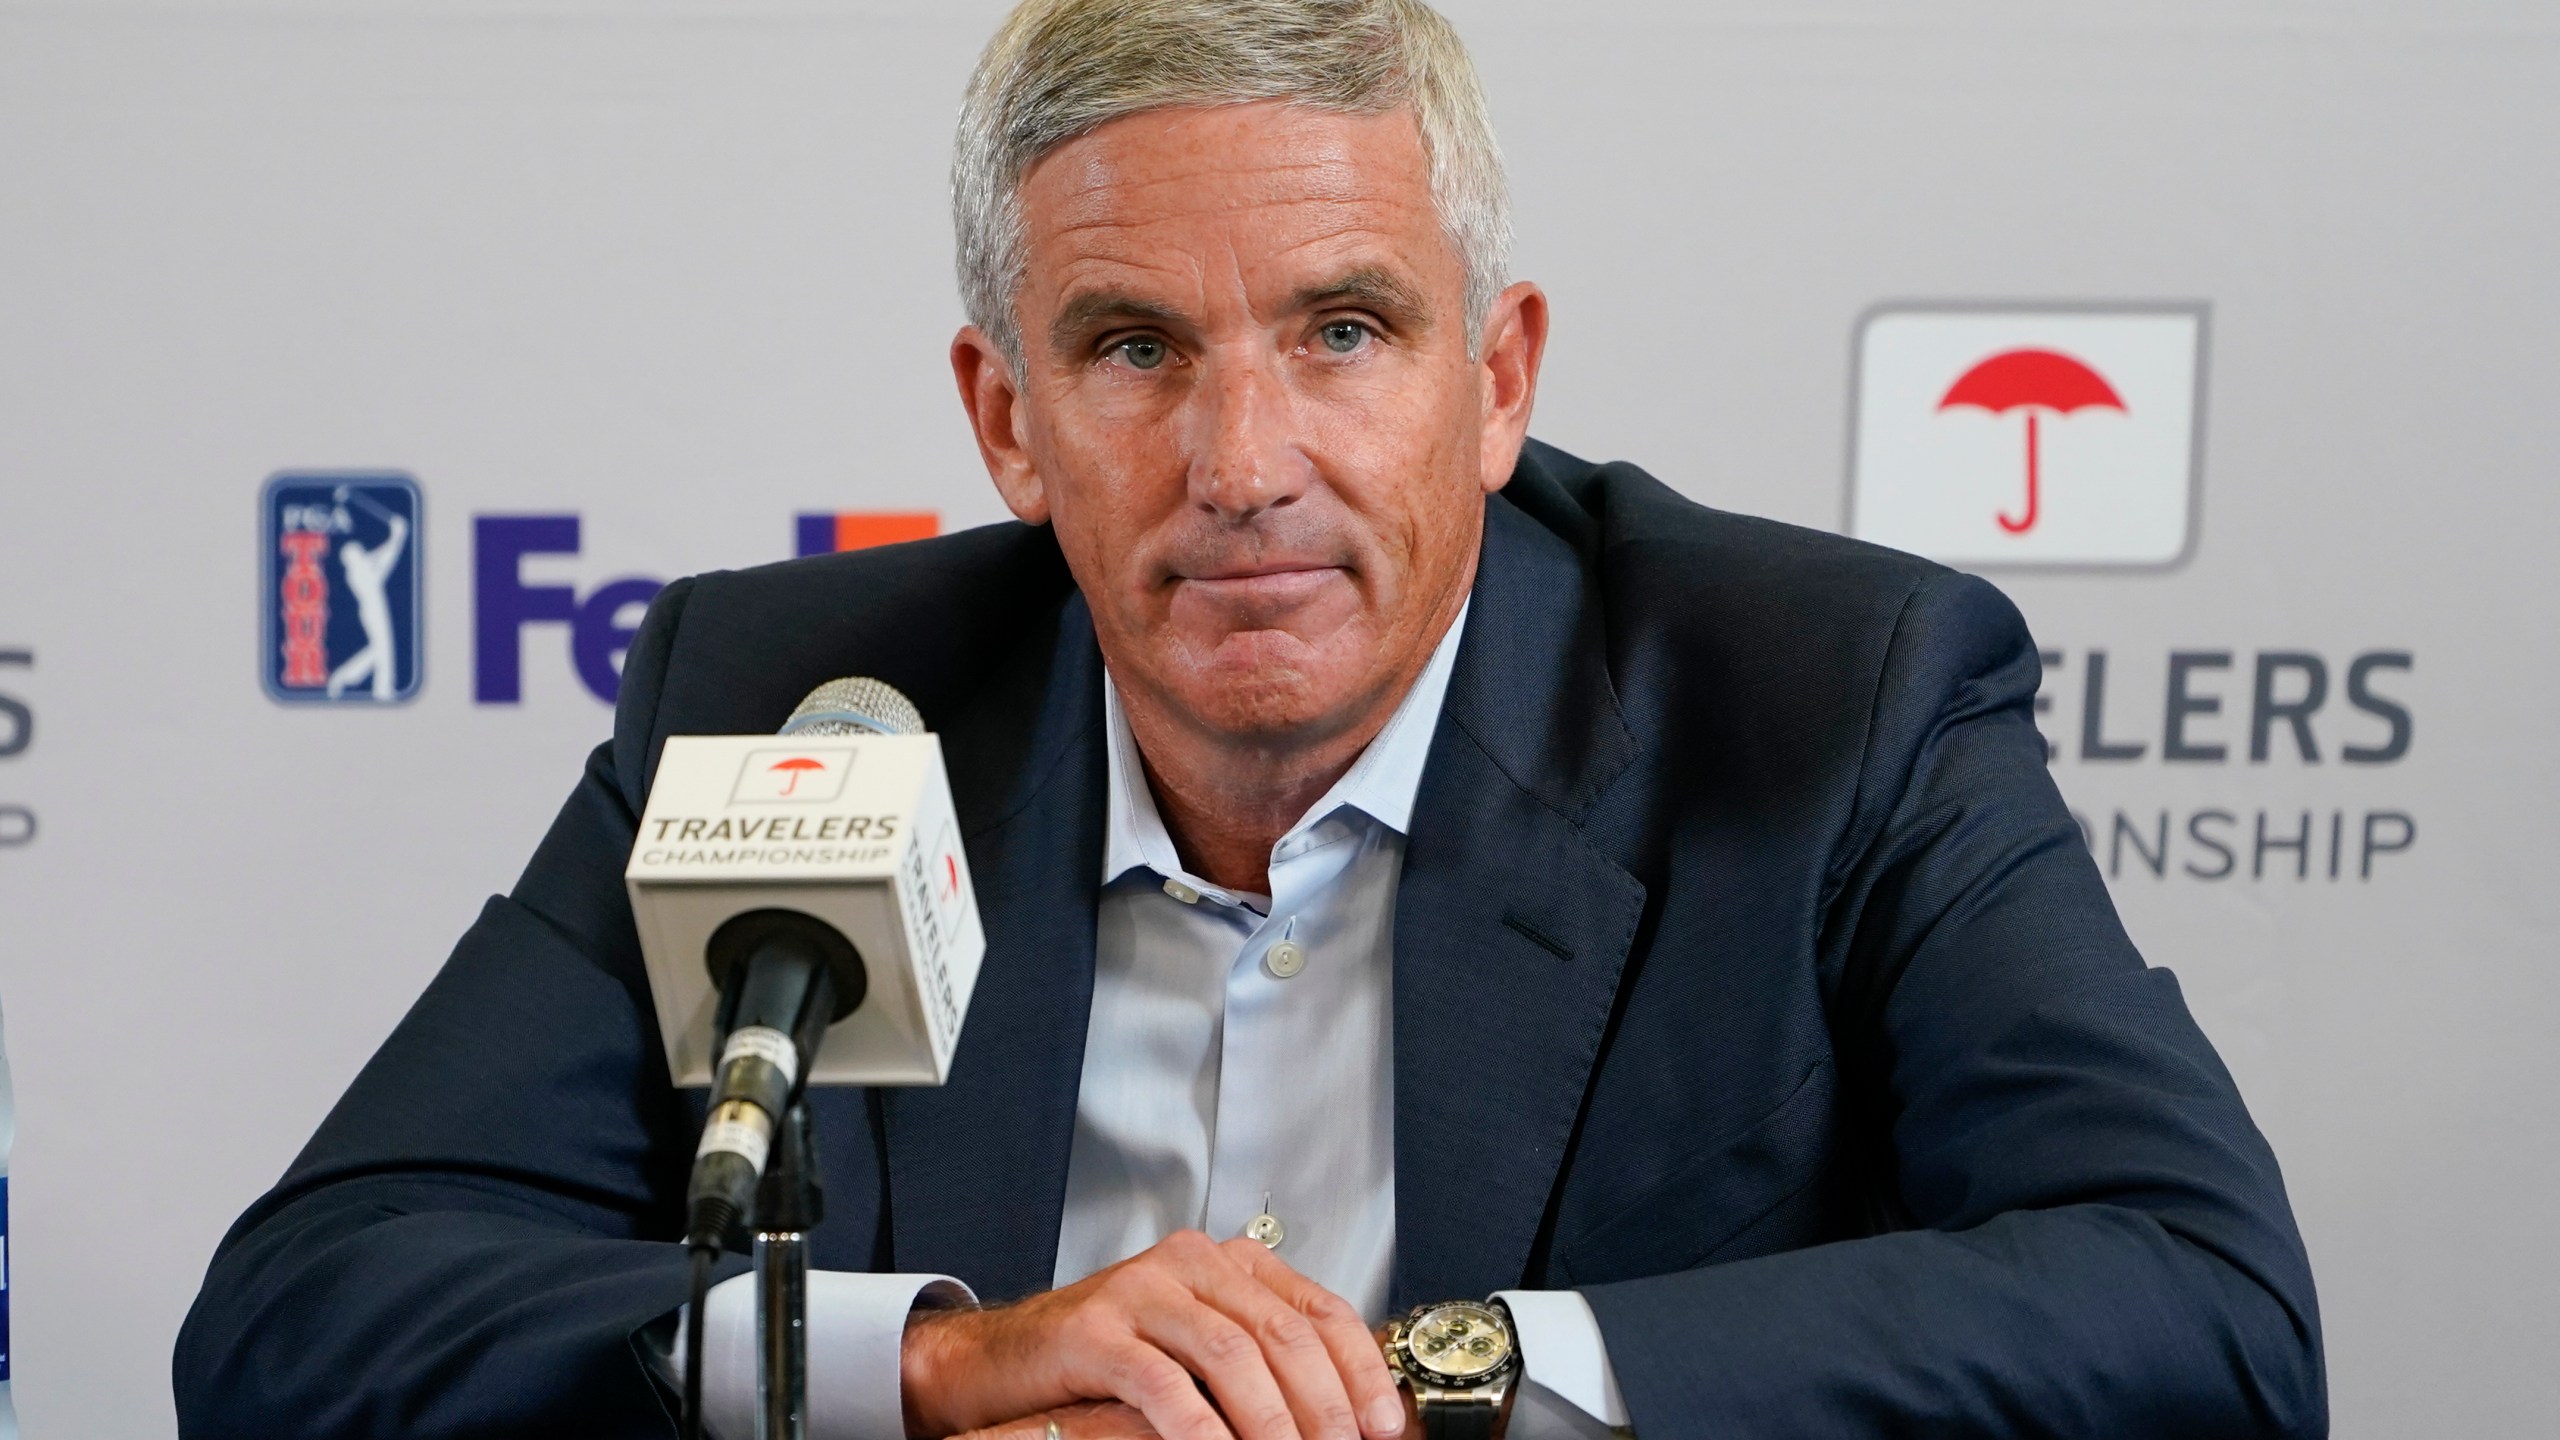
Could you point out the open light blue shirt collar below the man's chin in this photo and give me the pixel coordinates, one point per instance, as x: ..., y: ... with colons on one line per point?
x: 1381, y: 783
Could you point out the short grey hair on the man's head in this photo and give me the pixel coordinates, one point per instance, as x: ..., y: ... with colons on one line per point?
x: 1064, y: 68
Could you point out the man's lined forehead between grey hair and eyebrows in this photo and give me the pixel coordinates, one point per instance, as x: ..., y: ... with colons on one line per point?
x: 1263, y: 193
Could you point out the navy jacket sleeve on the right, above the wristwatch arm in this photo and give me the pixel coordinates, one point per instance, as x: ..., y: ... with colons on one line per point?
x: 2093, y: 1234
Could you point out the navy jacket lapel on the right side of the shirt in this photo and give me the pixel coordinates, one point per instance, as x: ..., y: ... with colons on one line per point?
x: 1512, y: 926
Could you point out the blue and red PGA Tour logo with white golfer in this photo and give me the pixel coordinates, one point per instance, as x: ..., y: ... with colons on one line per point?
x: 342, y: 606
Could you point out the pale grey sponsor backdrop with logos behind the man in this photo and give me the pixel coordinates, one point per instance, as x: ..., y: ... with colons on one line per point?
x: 367, y: 368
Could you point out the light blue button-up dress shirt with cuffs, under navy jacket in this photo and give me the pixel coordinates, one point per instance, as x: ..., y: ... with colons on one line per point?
x: 1240, y: 1075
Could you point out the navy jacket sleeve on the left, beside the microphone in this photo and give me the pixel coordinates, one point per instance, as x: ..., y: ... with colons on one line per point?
x: 483, y: 1223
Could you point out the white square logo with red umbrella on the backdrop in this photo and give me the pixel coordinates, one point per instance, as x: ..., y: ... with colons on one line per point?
x: 2029, y: 437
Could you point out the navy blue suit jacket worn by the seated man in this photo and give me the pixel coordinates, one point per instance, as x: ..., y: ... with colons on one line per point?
x: 1819, y: 1057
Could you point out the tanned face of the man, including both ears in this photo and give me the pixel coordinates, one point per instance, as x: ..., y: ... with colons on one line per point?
x: 1248, y: 409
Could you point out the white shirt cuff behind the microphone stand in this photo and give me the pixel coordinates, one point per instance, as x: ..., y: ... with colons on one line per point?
x: 856, y: 1334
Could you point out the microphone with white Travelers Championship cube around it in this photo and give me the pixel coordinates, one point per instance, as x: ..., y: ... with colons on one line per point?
x: 805, y: 916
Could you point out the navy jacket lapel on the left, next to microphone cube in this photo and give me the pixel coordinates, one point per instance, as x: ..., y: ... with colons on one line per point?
x: 979, y: 1170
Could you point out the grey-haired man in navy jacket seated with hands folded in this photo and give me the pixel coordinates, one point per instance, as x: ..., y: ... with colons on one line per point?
x: 1478, y: 947
